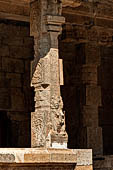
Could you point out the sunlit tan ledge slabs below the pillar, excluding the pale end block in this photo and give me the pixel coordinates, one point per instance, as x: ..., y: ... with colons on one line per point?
x: 33, y: 155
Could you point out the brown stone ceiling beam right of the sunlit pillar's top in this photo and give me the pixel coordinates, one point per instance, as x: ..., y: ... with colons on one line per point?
x: 91, y: 8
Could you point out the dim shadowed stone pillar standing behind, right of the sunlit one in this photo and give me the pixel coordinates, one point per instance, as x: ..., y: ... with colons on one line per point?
x: 90, y: 109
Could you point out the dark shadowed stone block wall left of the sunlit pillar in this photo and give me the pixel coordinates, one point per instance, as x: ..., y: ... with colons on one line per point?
x: 16, y: 95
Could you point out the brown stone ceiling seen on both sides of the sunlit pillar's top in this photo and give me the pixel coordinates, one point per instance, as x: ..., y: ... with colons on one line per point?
x: 19, y: 9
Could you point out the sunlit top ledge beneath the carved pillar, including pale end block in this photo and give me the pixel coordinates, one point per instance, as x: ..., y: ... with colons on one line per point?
x: 80, y: 157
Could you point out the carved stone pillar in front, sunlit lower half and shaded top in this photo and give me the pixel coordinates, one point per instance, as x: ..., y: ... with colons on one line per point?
x: 47, y: 122
